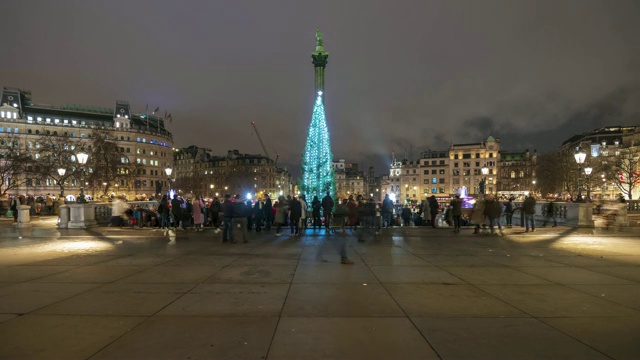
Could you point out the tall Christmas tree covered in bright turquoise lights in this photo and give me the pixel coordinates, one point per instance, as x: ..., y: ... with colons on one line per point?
x: 317, y: 169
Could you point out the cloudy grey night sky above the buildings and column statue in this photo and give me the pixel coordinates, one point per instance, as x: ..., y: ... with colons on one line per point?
x: 402, y: 75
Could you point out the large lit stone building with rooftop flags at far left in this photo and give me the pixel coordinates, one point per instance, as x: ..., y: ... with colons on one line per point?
x: 139, y: 139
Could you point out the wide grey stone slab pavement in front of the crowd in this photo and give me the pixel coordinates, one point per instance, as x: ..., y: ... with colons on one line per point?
x: 413, y: 293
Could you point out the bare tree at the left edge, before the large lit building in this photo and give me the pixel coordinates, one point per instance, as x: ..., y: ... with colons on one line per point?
x: 14, y: 163
